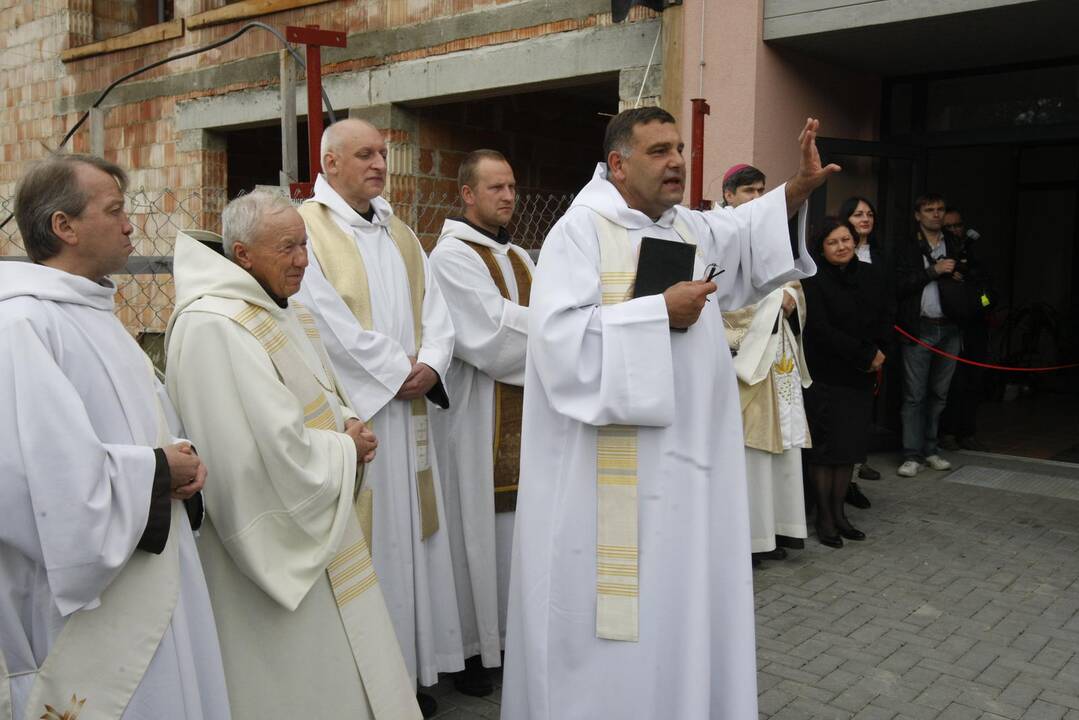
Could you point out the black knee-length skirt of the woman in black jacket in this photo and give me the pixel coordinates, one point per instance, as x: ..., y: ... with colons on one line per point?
x: 841, y: 419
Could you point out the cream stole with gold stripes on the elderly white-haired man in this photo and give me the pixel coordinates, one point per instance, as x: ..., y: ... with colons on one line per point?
x: 351, y: 573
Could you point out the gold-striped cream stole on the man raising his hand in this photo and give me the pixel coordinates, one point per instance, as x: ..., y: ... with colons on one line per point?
x: 618, y: 575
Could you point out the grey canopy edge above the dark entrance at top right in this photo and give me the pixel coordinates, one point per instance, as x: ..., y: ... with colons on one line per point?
x: 791, y: 19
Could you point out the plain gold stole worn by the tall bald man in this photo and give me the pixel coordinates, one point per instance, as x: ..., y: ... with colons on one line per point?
x: 344, y: 267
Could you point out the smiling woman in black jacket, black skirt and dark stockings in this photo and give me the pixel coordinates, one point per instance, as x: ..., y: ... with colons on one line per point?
x: 848, y: 330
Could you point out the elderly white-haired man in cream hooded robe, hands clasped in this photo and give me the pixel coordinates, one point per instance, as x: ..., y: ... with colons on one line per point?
x: 305, y: 630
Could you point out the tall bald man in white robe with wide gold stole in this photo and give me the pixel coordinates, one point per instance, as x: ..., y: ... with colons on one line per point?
x: 391, y: 341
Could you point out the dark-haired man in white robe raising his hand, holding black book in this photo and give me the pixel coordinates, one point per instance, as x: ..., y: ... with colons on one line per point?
x: 633, y: 447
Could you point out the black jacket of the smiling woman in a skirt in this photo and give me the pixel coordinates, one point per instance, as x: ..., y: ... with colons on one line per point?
x: 846, y: 323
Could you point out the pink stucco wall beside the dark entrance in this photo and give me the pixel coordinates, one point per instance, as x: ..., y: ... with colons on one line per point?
x: 760, y: 97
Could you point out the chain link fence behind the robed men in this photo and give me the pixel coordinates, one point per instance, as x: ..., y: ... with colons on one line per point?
x: 146, y: 296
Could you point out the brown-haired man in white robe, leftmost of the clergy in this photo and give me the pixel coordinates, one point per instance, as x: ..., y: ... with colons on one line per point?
x: 104, y: 610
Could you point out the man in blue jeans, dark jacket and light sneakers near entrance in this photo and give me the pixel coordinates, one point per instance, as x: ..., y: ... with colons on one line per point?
x: 932, y: 270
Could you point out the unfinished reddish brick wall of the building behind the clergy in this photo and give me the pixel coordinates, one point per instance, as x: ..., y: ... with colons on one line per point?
x: 37, y: 89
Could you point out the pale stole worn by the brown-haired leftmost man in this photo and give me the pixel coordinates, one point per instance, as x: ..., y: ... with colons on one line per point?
x: 122, y: 634
